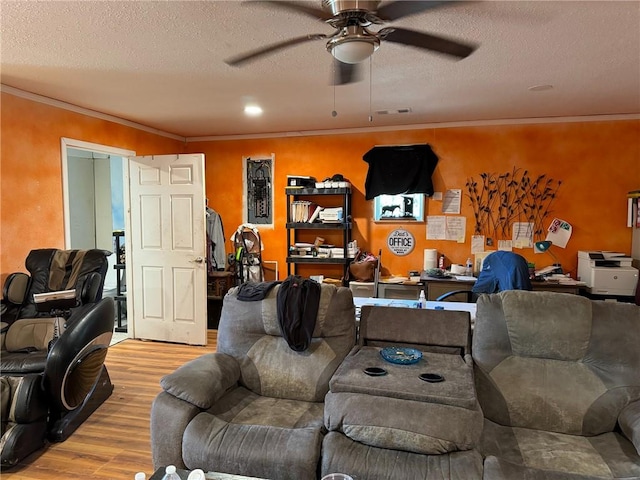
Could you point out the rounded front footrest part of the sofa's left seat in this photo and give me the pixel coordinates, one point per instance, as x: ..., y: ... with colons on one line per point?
x: 259, y: 451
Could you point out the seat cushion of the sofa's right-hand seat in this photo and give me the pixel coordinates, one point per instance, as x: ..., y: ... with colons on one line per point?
x: 608, y: 455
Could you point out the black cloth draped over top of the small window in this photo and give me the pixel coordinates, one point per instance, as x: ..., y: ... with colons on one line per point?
x: 396, y: 169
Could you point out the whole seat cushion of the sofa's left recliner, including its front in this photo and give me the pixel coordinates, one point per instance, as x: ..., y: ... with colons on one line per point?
x: 247, y: 434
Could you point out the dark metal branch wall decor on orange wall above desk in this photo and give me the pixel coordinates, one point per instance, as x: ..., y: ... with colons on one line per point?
x: 499, y: 200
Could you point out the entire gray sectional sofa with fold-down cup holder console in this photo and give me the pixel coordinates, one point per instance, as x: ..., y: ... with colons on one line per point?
x: 549, y: 390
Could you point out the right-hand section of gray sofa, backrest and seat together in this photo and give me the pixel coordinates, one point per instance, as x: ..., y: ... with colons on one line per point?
x: 558, y: 379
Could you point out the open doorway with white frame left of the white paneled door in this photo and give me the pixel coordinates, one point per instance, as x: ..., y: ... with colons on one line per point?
x: 95, y: 200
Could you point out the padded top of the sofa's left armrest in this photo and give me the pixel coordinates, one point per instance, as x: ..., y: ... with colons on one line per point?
x: 203, y: 380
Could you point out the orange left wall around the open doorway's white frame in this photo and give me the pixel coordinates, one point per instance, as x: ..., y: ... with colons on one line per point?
x: 31, y: 171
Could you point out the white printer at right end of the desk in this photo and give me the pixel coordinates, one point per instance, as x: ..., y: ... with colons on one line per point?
x: 607, y: 273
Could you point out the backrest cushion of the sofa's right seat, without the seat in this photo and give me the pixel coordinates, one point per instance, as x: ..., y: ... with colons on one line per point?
x: 556, y: 362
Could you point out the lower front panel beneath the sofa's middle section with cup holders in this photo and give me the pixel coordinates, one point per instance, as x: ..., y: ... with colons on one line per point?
x: 341, y: 454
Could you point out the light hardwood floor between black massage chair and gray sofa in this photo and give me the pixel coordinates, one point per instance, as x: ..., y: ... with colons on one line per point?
x: 114, y: 443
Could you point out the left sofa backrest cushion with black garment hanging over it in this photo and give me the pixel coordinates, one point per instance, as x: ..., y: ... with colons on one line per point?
x: 249, y: 331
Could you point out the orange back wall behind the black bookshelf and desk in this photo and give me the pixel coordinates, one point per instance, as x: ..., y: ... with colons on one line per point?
x: 597, y: 162
